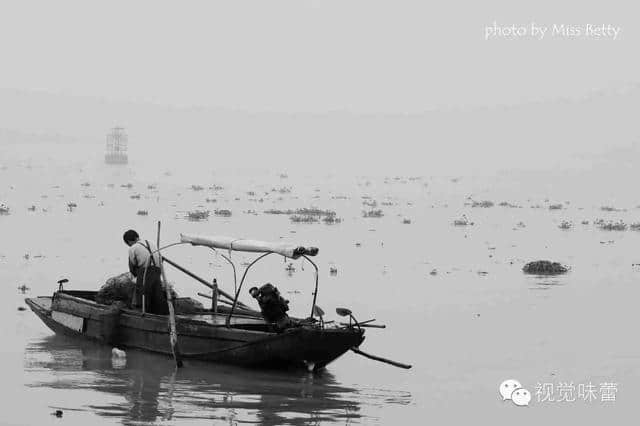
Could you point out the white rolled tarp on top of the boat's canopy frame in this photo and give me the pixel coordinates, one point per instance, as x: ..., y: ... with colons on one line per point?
x: 255, y: 246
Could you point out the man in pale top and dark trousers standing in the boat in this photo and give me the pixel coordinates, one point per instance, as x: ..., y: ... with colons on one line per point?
x: 144, y: 264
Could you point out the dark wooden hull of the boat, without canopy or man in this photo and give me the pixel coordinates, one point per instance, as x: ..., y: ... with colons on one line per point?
x: 203, y: 337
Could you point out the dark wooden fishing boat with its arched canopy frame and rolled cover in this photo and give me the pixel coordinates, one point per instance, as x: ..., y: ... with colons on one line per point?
x: 224, y: 334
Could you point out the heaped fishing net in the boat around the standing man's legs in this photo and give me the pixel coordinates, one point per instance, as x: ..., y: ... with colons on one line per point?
x: 119, y: 290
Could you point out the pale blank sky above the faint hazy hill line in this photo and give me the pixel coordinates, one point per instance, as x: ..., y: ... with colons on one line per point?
x: 299, y: 55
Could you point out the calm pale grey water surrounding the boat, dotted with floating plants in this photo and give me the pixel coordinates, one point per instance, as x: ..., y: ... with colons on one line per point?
x: 454, y: 299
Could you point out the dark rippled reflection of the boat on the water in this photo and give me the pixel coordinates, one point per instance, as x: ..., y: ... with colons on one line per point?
x: 148, y: 388
